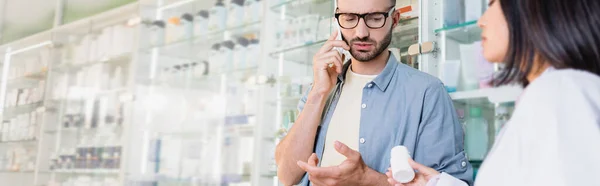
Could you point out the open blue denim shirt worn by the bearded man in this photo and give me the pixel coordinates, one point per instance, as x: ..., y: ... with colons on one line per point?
x: 404, y: 107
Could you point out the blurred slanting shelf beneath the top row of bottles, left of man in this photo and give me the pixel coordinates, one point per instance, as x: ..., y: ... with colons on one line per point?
x: 188, y: 48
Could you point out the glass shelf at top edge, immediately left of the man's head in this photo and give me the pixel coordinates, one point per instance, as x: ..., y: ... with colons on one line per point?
x: 297, y: 8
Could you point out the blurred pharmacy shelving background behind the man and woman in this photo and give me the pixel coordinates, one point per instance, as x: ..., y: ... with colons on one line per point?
x: 198, y: 92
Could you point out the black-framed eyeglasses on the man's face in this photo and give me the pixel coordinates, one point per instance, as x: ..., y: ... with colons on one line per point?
x: 373, y: 20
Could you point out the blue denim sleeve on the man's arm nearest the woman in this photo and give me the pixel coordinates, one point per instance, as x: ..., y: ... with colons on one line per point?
x: 440, y: 142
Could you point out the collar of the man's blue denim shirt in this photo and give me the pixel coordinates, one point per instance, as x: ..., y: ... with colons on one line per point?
x: 382, y: 81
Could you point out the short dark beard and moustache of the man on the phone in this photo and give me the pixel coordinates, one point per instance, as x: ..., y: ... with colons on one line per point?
x: 365, y: 56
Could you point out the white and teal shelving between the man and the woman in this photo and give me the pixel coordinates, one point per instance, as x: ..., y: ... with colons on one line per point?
x: 458, y: 61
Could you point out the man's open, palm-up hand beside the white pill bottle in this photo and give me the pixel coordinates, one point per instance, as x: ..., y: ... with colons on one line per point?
x: 352, y: 172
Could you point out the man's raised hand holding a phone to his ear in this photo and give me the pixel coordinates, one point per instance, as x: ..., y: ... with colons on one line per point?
x: 327, y: 64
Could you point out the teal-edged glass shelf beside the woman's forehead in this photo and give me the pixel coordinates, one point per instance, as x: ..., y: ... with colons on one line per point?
x: 467, y: 32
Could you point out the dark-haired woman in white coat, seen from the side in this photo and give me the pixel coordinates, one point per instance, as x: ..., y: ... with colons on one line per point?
x: 552, y: 47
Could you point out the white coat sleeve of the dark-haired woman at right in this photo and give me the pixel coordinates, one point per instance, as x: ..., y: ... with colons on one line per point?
x: 559, y: 132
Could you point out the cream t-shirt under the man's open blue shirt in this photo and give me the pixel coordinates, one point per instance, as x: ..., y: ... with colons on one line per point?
x: 345, y: 122
